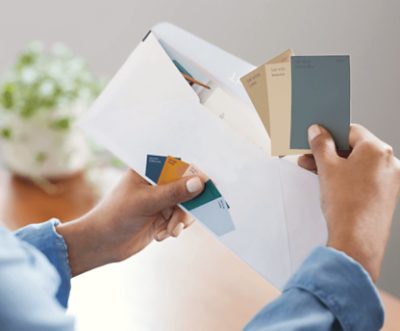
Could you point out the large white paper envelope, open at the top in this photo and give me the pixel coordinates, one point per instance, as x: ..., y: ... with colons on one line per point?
x: 149, y: 108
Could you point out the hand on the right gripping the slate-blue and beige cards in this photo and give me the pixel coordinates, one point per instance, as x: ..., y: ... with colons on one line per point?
x: 358, y: 193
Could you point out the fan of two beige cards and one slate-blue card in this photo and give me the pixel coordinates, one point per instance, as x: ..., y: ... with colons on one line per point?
x: 290, y: 93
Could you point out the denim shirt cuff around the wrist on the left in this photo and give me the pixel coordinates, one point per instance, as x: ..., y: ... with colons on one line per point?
x: 45, y: 238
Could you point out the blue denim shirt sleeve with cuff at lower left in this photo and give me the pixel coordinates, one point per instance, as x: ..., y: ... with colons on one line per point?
x: 29, y: 282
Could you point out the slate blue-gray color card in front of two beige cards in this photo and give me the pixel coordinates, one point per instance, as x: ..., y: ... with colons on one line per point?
x: 320, y: 95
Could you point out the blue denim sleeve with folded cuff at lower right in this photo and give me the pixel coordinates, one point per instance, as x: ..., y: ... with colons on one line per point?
x: 330, y: 291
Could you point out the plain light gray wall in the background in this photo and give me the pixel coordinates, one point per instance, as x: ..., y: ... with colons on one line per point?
x: 106, y: 31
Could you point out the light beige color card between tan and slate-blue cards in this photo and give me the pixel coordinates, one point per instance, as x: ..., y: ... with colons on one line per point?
x: 278, y: 78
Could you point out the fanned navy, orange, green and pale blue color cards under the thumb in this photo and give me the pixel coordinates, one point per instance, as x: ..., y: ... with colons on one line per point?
x: 210, y: 206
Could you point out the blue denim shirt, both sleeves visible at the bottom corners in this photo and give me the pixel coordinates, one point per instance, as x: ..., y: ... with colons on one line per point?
x: 330, y: 291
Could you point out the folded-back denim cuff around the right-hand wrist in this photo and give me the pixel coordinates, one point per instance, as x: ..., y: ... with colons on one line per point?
x: 343, y: 286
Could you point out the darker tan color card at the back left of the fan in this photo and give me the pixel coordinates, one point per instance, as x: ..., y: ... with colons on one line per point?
x: 256, y: 87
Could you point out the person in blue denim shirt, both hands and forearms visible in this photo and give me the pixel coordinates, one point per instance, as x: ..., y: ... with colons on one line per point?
x: 332, y: 290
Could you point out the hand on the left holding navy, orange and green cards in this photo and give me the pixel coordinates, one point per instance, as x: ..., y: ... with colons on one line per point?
x: 127, y: 220
